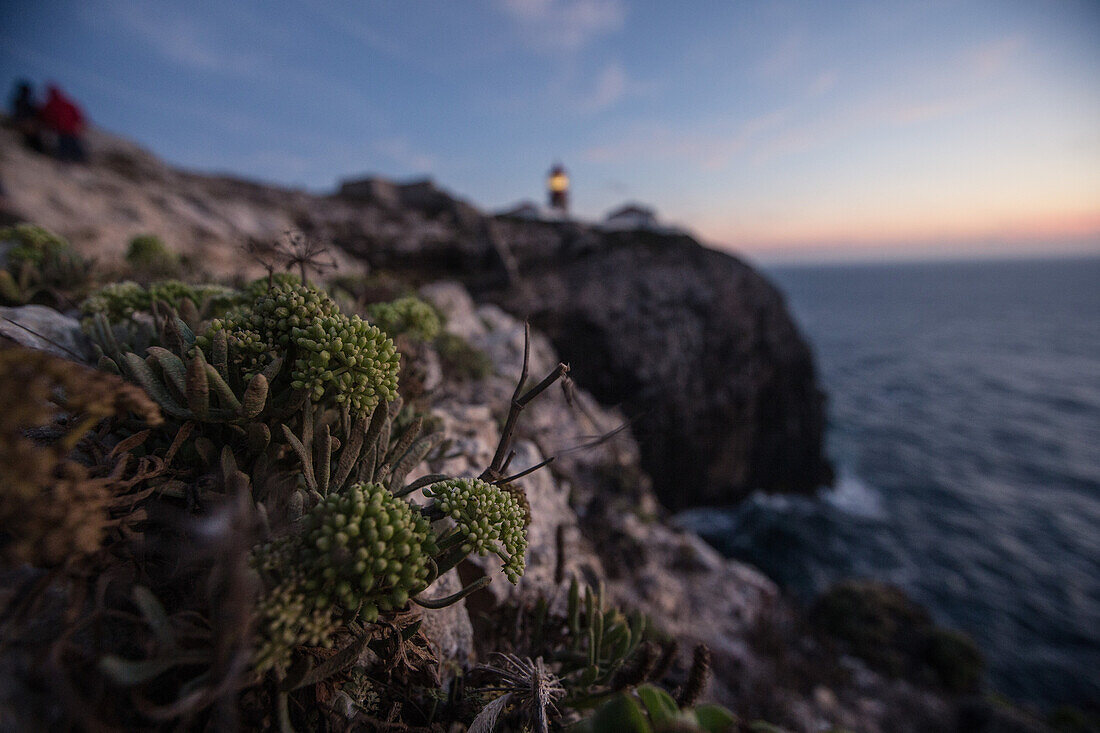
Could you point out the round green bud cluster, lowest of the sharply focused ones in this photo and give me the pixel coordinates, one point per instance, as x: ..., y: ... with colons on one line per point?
x: 362, y: 550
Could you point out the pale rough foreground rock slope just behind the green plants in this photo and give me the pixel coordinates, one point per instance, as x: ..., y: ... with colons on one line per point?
x: 593, y: 518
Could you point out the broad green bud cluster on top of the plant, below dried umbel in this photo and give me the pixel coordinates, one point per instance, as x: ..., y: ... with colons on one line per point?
x: 333, y: 356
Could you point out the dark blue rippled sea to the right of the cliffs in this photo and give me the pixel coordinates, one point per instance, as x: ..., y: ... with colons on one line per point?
x: 965, y: 424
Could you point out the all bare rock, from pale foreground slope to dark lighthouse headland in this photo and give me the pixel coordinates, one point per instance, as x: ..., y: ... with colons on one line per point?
x: 593, y: 512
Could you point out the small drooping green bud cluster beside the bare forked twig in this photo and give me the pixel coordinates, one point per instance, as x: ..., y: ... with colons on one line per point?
x: 493, y: 521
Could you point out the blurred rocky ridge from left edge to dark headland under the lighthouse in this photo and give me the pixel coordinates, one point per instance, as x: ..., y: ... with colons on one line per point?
x: 695, y: 345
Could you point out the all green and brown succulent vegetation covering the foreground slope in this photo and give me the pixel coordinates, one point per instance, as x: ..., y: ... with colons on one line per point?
x: 218, y: 523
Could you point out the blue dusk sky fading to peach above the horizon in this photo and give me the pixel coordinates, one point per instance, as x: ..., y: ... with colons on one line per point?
x: 784, y: 130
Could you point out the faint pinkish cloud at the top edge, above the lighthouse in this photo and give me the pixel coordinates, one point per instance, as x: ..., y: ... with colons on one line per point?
x: 565, y: 25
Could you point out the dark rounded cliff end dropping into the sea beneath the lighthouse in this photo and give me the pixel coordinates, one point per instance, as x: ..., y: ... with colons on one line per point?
x: 694, y: 344
